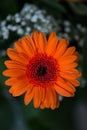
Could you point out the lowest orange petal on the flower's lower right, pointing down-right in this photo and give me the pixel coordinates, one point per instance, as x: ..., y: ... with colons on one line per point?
x: 63, y: 91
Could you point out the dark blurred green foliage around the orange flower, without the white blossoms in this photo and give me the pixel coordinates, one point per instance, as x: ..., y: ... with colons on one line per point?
x: 14, y: 115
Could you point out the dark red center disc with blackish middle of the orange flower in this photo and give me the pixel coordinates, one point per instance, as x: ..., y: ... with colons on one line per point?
x: 42, y: 70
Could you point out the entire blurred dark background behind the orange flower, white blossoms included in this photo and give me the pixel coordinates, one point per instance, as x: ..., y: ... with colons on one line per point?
x: 68, y: 18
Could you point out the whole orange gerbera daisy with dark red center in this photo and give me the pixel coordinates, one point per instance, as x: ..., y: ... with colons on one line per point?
x: 42, y: 69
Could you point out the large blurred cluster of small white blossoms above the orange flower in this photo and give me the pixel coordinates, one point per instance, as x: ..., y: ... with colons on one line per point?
x: 30, y: 18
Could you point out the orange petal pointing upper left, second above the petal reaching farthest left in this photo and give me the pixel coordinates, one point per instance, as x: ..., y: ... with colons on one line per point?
x: 20, y: 57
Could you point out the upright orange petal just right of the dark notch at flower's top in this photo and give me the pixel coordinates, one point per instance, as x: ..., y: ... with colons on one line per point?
x: 51, y: 44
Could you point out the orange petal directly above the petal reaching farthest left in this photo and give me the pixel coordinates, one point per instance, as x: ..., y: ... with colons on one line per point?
x: 14, y: 64
